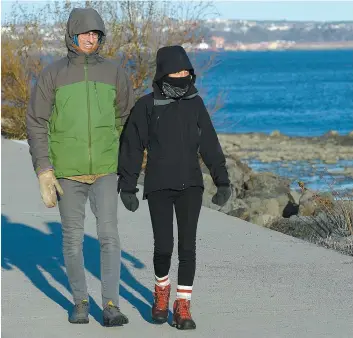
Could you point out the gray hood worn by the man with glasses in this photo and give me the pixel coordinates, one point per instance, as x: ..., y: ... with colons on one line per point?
x: 82, y: 20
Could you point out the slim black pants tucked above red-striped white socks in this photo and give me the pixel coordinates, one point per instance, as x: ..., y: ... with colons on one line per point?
x: 187, y: 204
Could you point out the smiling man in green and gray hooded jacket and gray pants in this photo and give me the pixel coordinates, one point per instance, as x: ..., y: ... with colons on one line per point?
x: 76, y: 113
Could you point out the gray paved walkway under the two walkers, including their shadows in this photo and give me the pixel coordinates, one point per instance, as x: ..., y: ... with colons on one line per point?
x: 250, y: 281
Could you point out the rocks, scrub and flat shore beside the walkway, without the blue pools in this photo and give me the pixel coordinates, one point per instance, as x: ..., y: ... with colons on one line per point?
x: 269, y: 200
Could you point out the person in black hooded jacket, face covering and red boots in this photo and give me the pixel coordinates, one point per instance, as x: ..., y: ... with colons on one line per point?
x: 172, y: 123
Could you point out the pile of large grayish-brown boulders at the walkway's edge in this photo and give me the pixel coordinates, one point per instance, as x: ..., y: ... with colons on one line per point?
x: 256, y: 197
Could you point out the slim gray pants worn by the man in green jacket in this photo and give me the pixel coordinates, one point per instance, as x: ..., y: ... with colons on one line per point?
x: 103, y: 198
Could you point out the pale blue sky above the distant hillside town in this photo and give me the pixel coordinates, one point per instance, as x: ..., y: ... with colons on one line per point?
x: 259, y: 10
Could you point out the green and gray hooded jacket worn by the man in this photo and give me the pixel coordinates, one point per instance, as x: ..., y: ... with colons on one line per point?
x: 78, y: 108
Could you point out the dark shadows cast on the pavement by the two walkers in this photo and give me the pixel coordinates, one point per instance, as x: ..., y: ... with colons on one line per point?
x: 31, y: 250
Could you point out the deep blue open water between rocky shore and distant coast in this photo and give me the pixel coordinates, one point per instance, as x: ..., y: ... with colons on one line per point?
x: 302, y: 93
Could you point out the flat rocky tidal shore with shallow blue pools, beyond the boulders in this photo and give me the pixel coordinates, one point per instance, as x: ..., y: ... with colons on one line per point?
x: 325, y: 162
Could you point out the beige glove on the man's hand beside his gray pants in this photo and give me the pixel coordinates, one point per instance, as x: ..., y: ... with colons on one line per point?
x: 49, y: 185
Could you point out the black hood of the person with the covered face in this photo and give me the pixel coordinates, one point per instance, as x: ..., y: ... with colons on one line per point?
x: 172, y: 59
